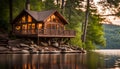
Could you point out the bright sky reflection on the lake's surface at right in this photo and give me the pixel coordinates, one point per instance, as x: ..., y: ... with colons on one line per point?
x: 111, y: 58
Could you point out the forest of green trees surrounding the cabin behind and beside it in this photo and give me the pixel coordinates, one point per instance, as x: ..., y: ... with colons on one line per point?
x: 82, y: 15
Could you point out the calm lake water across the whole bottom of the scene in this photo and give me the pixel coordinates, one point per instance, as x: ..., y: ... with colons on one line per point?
x: 91, y: 60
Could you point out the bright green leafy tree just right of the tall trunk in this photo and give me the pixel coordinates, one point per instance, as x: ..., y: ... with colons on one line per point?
x: 95, y: 33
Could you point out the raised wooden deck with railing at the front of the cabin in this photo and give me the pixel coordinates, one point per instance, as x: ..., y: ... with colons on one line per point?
x: 46, y: 33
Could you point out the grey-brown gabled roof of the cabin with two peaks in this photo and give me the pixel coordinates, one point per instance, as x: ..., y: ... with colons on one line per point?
x: 41, y: 16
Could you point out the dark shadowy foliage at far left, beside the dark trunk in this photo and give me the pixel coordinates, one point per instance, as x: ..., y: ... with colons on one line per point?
x: 4, y: 16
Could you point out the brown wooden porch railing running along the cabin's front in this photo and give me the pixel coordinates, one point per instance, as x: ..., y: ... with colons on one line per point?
x: 49, y: 32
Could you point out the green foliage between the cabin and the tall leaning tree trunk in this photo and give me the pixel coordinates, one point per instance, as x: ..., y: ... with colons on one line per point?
x: 75, y: 19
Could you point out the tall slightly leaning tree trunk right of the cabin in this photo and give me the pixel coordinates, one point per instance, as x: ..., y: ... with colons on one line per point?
x: 85, y: 24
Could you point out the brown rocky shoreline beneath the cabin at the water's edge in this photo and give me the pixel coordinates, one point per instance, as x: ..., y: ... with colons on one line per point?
x: 27, y: 46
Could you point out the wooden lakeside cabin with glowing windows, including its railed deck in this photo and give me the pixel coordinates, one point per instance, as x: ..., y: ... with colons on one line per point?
x: 41, y: 24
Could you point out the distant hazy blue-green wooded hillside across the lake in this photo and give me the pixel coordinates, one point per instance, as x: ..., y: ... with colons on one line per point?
x: 112, y: 35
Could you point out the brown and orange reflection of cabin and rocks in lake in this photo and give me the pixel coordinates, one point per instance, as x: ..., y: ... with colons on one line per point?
x: 45, y: 61
